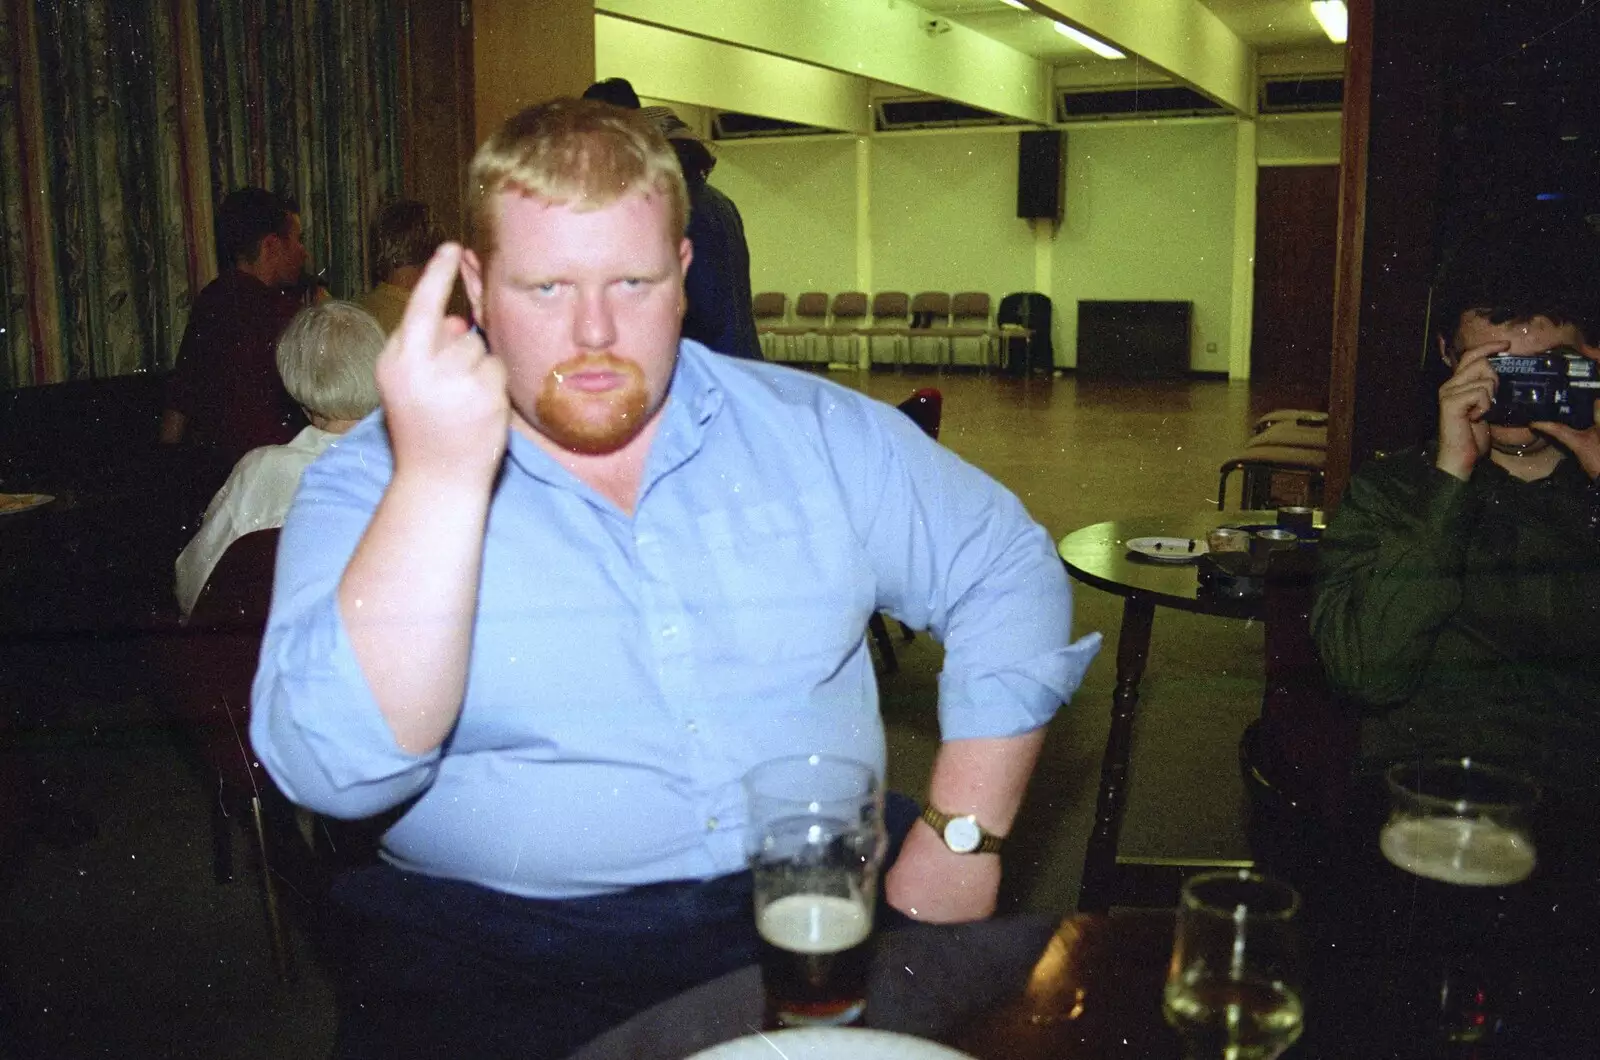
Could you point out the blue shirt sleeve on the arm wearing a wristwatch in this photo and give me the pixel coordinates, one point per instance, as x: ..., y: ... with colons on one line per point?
x: 958, y: 555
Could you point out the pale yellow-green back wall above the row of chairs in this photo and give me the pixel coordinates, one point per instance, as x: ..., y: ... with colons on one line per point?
x: 1150, y: 215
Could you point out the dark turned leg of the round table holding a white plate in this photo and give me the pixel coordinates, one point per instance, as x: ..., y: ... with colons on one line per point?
x: 1100, y: 861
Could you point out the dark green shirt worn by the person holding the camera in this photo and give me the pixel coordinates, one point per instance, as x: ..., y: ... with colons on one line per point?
x: 1466, y: 616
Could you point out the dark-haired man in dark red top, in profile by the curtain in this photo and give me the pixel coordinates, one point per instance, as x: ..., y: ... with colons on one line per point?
x: 225, y: 396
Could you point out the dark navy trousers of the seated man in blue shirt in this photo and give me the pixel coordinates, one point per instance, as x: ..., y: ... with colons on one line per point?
x: 441, y: 968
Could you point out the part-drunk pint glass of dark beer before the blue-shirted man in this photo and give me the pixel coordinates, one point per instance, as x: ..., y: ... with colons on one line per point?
x: 817, y: 845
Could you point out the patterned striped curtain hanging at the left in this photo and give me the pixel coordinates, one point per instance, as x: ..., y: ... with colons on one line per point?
x: 122, y: 126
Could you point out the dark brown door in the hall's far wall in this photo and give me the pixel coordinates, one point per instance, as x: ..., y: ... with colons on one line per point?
x: 1297, y: 235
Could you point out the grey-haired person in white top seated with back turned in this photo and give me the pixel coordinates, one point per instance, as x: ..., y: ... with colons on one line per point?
x: 326, y: 358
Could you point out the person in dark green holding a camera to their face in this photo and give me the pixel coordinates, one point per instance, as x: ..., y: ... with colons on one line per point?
x: 1458, y: 601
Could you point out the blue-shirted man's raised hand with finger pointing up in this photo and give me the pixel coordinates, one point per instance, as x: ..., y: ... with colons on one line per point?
x: 444, y: 396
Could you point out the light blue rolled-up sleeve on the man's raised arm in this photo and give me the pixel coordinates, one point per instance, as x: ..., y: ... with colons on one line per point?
x: 314, y: 721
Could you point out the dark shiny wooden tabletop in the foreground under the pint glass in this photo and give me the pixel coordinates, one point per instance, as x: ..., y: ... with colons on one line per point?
x: 1012, y: 989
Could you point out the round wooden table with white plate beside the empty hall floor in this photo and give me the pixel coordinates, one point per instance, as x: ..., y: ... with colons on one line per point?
x: 1098, y: 556
